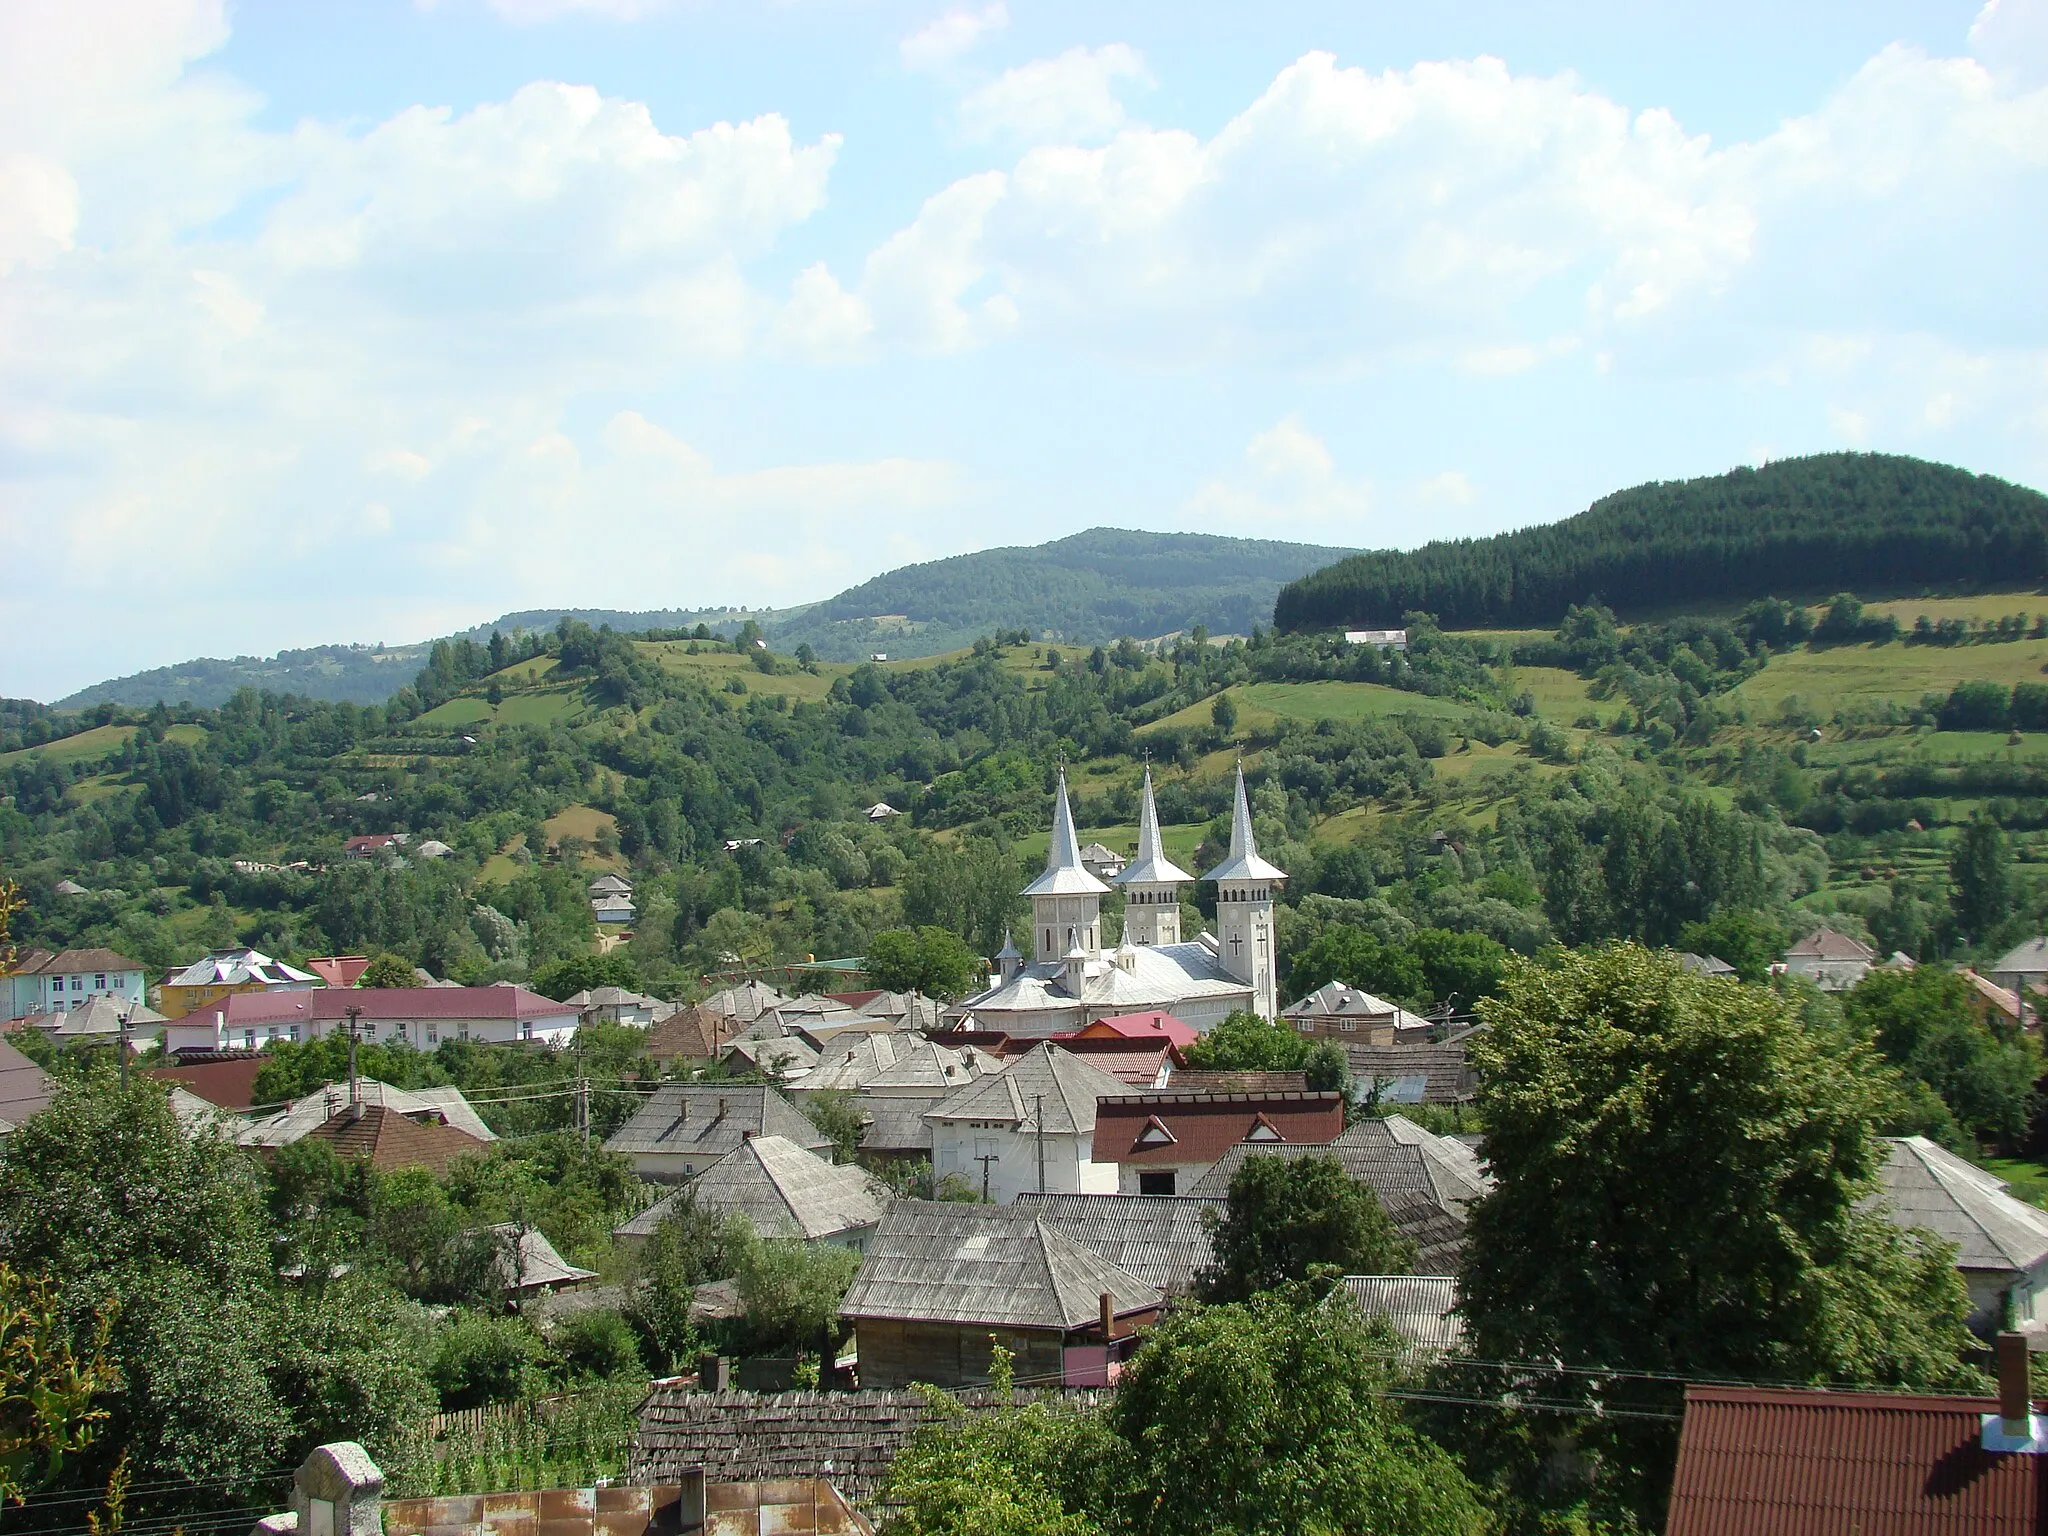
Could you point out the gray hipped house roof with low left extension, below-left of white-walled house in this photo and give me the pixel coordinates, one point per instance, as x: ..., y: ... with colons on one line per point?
x: 785, y: 1191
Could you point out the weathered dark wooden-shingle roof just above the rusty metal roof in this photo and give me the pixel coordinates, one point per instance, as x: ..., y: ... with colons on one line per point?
x: 849, y: 1439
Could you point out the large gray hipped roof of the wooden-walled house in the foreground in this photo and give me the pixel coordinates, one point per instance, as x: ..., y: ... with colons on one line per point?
x: 998, y: 1267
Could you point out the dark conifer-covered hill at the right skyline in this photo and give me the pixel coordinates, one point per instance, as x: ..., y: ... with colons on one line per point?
x: 1799, y: 527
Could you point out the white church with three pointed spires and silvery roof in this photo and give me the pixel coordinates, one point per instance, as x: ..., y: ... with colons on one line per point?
x: 1072, y: 980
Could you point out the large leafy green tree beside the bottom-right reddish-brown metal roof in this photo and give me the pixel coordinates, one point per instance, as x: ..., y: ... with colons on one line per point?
x: 1678, y: 1179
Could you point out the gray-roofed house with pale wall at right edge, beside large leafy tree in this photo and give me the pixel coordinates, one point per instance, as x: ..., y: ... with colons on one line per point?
x: 2002, y: 1244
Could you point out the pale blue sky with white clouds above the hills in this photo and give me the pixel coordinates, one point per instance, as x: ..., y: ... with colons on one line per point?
x: 368, y: 321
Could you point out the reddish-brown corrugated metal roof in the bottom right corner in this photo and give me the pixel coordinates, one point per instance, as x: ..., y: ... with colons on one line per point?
x: 1799, y: 1463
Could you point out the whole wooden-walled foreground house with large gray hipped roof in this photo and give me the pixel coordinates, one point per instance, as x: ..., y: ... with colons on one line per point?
x: 943, y: 1283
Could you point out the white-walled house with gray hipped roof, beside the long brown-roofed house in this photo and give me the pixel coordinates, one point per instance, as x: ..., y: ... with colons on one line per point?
x: 1027, y: 1127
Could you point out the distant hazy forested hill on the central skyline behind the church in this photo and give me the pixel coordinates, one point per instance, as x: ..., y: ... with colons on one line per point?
x: 1091, y: 587
